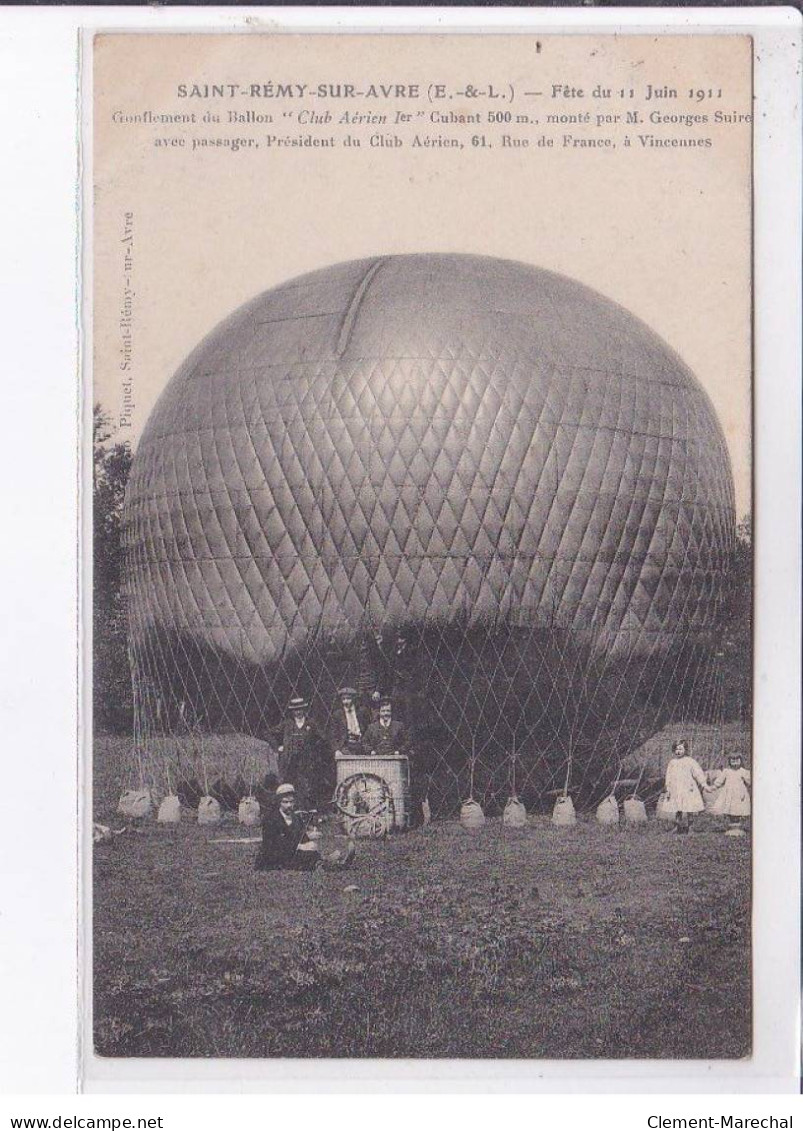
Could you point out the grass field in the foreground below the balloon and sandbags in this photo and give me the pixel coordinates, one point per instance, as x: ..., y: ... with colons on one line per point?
x: 616, y: 943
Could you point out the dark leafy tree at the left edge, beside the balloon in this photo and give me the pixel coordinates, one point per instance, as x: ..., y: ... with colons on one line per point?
x: 113, y: 698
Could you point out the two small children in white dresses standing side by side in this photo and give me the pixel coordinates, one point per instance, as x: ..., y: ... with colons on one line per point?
x: 686, y: 783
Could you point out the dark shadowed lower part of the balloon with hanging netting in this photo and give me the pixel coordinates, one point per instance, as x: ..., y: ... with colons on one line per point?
x: 491, y: 713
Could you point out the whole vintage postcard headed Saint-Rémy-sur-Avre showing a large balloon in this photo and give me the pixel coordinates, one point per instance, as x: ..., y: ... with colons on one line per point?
x: 422, y: 640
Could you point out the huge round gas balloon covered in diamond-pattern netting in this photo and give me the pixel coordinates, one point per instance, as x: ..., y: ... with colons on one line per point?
x: 491, y: 459
